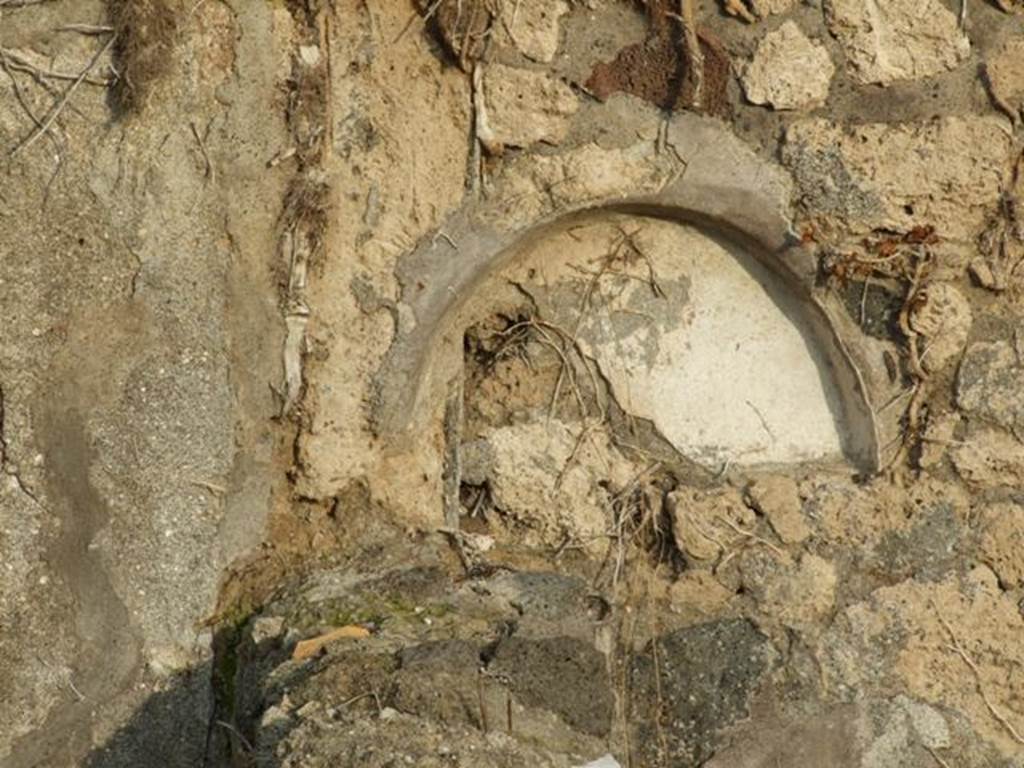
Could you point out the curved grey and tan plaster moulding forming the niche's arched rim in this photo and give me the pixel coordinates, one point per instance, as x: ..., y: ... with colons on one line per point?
x: 704, y: 177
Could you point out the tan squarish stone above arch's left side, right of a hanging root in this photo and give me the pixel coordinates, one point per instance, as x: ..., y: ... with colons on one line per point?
x: 523, y: 107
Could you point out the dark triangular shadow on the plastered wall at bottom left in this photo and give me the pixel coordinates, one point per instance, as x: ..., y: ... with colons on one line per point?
x: 170, y: 730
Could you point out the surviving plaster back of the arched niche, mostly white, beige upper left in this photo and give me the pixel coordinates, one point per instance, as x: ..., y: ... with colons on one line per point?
x: 716, y: 363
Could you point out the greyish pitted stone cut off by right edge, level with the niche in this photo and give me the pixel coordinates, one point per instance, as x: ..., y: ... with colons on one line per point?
x: 990, y: 381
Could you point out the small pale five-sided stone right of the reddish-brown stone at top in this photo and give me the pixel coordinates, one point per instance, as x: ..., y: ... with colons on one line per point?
x: 789, y: 71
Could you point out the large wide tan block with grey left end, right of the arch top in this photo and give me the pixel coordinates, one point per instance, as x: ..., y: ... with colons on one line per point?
x: 946, y: 174
